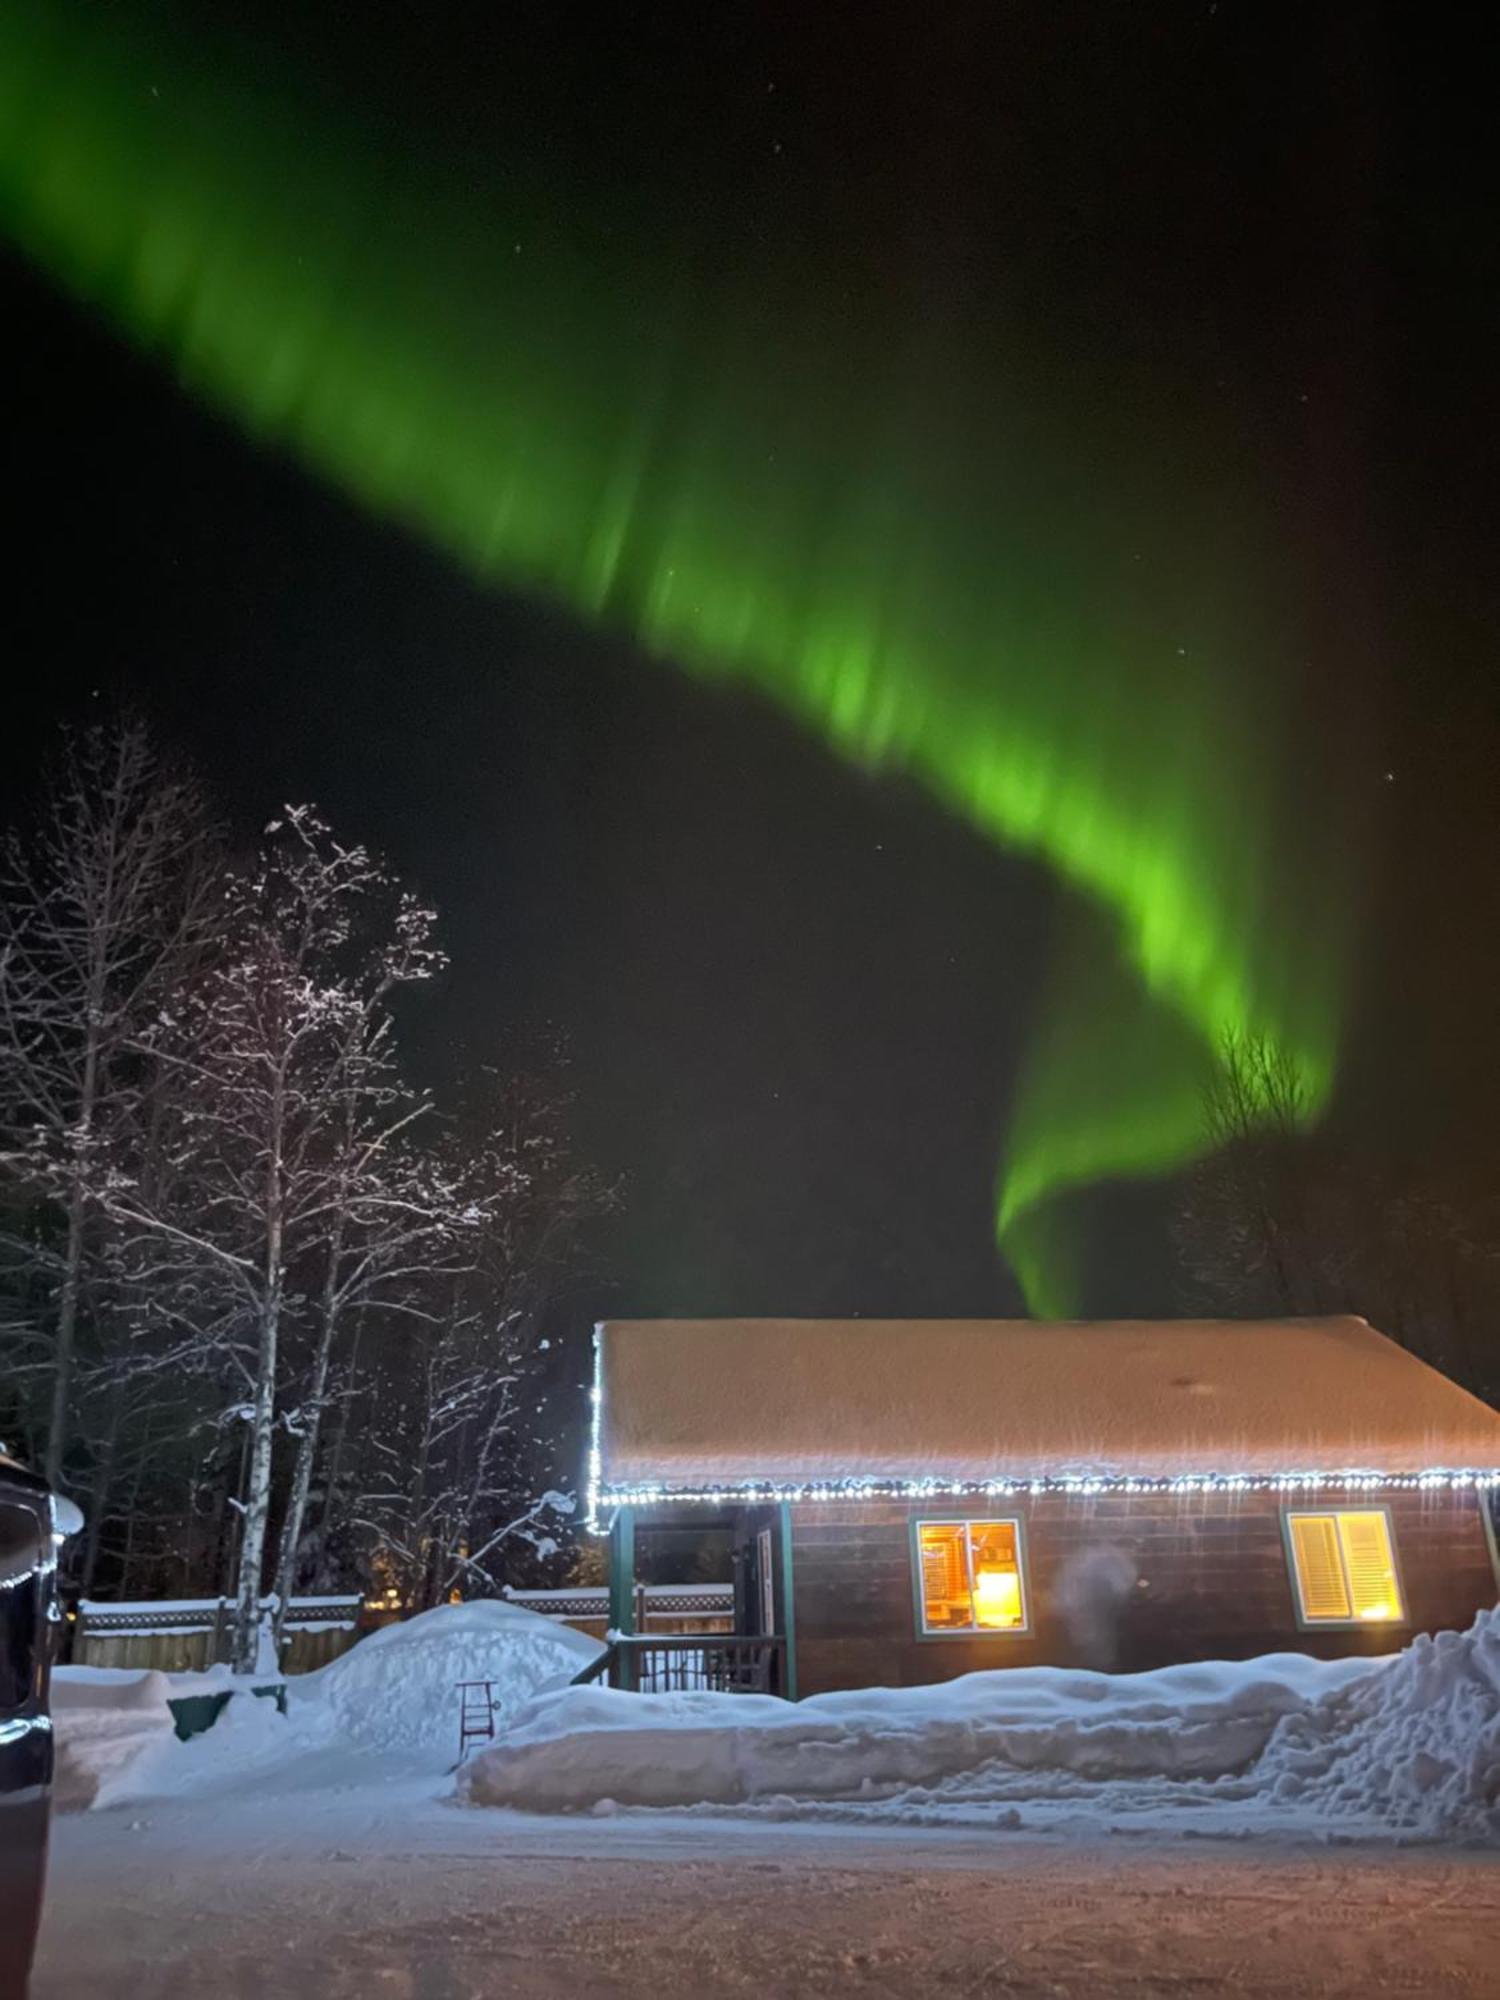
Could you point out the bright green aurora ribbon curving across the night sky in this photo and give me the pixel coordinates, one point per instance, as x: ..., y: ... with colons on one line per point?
x: 909, y: 541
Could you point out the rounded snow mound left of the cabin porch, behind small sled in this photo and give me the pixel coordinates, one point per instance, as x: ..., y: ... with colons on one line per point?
x: 399, y: 1687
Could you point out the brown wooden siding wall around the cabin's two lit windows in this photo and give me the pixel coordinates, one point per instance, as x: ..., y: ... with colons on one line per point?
x: 1215, y: 1573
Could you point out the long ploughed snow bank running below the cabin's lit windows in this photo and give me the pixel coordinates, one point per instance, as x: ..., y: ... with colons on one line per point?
x: 1403, y: 1745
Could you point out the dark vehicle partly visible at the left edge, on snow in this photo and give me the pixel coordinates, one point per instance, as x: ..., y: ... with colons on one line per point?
x: 27, y: 1617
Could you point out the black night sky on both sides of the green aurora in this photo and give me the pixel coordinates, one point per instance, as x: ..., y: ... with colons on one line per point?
x: 795, y: 993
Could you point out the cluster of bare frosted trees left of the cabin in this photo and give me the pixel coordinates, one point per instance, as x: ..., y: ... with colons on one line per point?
x: 275, y: 1317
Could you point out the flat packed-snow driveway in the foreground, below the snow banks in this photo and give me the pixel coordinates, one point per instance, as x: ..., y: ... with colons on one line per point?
x: 351, y: 1891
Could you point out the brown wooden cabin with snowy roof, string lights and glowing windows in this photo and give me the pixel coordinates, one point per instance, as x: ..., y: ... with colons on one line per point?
x: 919, y: 1499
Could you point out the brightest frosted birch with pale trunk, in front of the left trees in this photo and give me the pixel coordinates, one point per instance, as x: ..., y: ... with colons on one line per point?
x: 281, y: 1065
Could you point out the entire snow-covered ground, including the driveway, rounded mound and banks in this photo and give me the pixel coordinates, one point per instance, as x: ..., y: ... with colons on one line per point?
x: 1005, y: 1835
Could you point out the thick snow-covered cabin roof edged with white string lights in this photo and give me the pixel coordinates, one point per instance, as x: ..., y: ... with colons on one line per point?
x: 739, y: 1405
